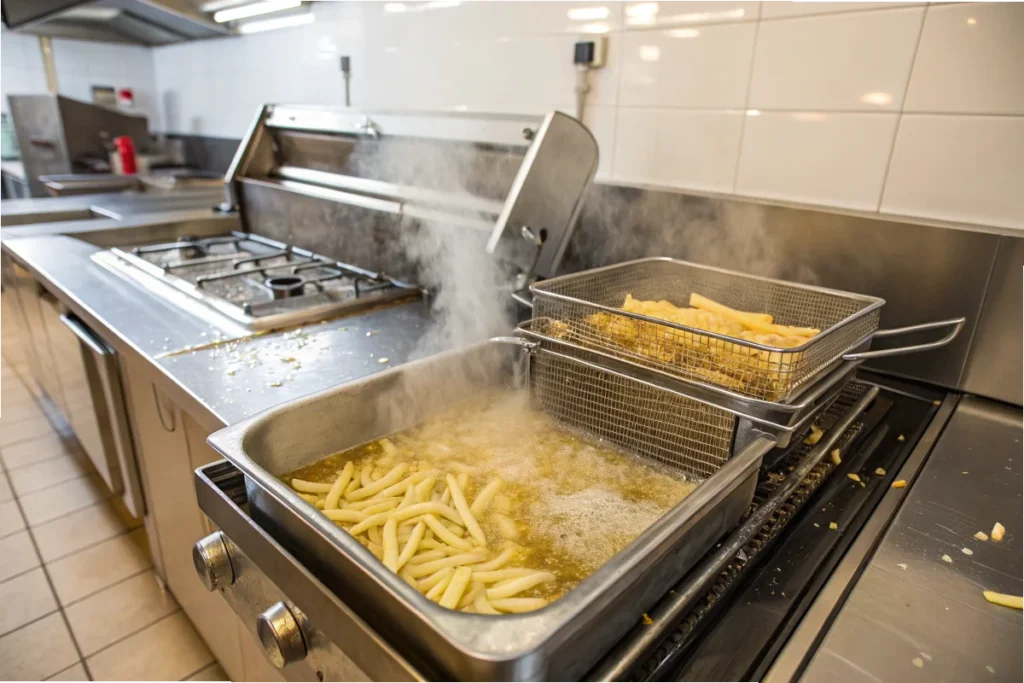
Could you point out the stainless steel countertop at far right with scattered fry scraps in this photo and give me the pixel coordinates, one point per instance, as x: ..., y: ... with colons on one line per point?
x: 913, y: 608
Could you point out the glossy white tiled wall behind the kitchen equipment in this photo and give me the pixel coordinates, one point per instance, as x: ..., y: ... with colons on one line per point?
x: 903, y: 107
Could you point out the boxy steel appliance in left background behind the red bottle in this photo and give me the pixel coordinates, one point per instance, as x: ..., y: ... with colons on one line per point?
x: 60, y: 136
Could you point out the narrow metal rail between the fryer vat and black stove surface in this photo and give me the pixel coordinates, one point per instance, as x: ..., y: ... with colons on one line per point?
x: 622, y: 660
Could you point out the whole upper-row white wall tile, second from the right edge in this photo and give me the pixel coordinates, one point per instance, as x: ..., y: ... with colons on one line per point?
x: 825, y: 63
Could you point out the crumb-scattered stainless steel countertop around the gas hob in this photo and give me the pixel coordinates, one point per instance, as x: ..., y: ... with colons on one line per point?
x: 230, y: 380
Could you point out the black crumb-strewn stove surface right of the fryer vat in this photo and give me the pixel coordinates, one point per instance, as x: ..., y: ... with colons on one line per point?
x: 736, y: 630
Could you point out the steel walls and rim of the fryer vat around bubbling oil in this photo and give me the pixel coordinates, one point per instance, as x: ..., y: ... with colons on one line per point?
x: 559, y: 643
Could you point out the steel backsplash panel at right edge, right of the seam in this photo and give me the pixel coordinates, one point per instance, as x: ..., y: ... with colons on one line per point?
x: 994, y: 368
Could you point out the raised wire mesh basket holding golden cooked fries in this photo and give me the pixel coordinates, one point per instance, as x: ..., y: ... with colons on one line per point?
x: 586, y: 309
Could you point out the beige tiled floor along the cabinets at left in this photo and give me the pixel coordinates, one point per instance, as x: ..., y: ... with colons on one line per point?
x: 79, y: 601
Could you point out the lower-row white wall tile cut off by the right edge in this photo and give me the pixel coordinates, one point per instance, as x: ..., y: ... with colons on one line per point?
x: 959, y: 168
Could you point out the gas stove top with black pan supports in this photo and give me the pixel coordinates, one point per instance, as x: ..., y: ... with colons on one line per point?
x: 261, y: 283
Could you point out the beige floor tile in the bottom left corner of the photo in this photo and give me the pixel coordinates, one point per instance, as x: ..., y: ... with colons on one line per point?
x: 37, y: 651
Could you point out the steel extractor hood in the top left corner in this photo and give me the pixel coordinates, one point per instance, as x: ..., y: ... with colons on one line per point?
x: 138, y: 22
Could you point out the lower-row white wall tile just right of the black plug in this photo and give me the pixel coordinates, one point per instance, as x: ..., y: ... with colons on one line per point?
x: 695, y: 150
